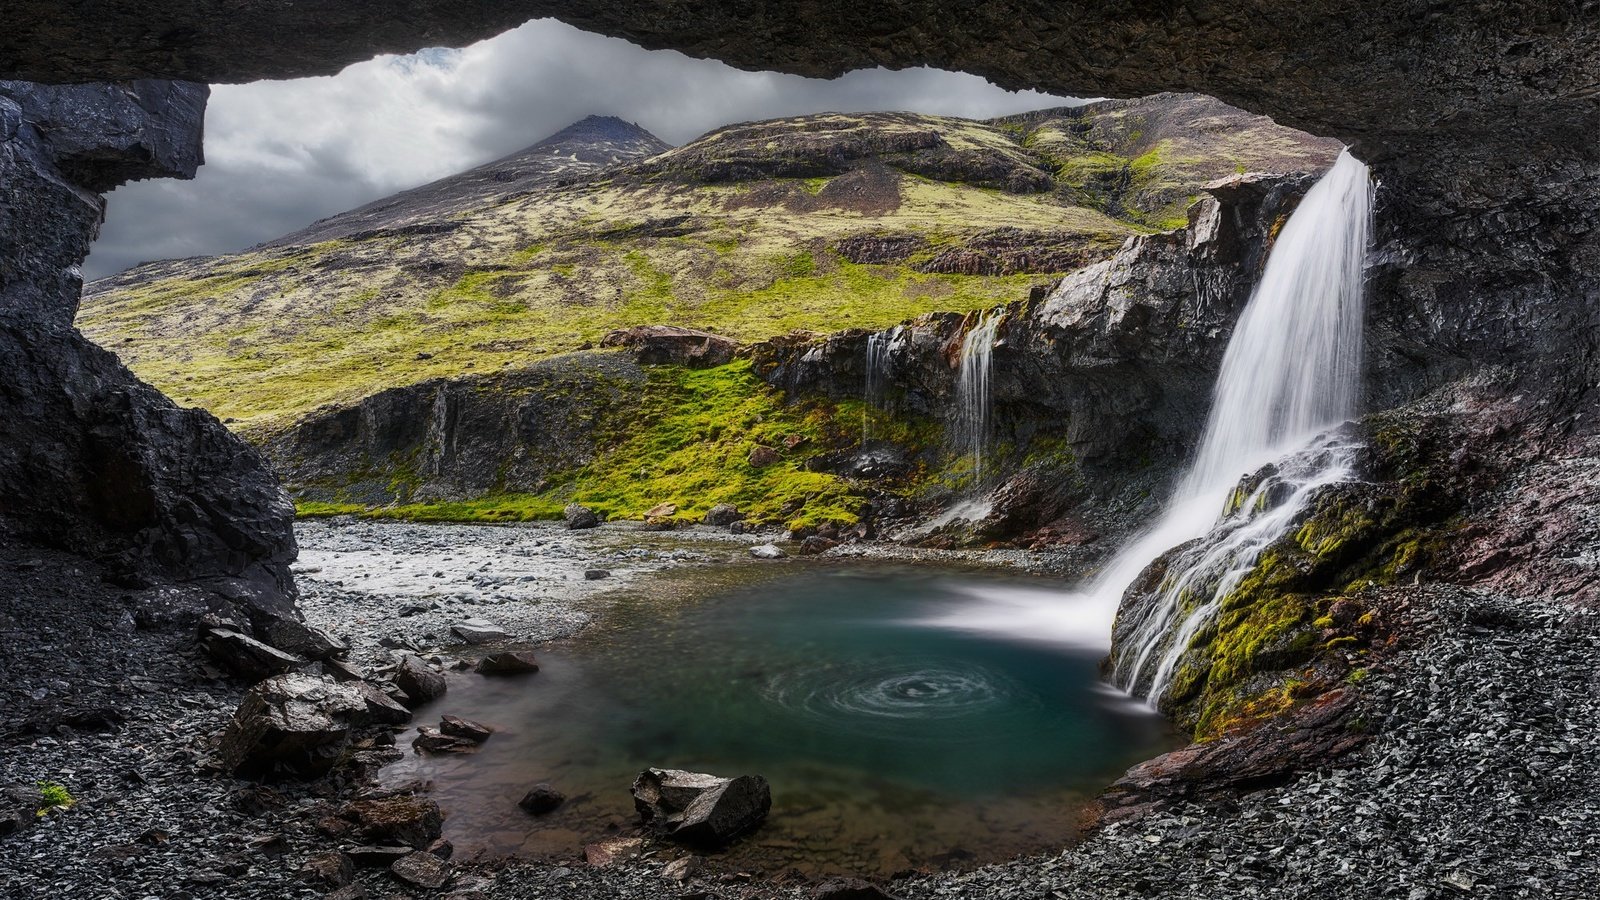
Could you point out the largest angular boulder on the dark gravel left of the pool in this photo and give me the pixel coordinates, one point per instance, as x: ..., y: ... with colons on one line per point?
x: 292, y: 725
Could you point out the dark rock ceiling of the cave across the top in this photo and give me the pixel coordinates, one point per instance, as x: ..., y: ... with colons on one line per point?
x: 1388, y: 76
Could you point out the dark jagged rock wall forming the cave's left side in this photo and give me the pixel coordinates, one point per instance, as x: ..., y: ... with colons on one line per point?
x: 97, y: 462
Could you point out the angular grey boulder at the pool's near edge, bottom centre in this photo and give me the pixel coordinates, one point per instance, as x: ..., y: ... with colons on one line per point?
x: 705, y: 811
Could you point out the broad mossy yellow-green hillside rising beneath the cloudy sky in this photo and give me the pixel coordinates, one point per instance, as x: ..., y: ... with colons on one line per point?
x: 820, y: 222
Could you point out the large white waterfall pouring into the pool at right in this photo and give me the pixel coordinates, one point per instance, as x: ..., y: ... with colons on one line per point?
x: 1289, y: 376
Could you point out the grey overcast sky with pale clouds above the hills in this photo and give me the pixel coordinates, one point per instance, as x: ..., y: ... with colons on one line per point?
x: 284, y: 155
